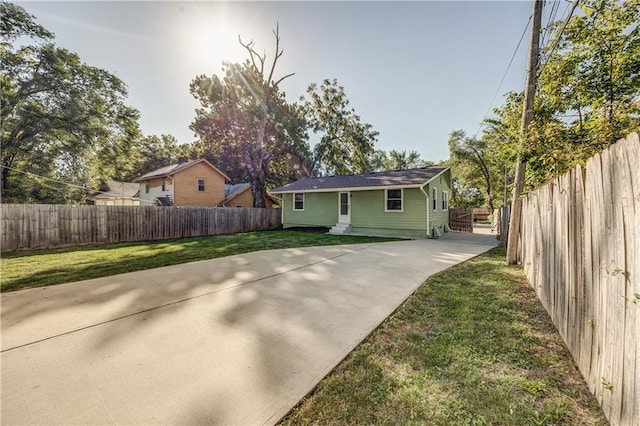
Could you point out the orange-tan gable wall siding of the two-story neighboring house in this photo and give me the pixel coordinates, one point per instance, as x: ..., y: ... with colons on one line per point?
x: 185, y: 184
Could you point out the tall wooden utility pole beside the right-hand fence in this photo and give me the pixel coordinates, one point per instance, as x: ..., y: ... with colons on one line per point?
x: 527, y: 114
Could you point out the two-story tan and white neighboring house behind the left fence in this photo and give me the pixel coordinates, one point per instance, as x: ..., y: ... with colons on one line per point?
x: 187, y: 183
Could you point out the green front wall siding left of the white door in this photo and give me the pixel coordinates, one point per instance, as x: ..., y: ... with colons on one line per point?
x: 320, y: 209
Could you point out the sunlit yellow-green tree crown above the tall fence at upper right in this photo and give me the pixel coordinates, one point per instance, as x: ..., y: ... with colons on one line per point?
x: 591, y: 78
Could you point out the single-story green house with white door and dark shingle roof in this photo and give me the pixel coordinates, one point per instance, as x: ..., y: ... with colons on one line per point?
x: 413, y: 203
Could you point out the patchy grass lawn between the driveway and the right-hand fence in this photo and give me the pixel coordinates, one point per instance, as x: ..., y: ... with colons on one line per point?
x: 473, y: 346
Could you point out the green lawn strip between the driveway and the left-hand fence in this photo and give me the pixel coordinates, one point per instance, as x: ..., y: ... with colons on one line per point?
x: 55, y: 266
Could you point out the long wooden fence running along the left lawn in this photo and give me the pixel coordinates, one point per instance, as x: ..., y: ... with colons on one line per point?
x: 27, y: 226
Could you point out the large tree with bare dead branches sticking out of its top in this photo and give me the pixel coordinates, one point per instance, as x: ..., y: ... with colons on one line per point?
x: 245, y: 122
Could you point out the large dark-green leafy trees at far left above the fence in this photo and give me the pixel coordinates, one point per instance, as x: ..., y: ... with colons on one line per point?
x: 61, y: 119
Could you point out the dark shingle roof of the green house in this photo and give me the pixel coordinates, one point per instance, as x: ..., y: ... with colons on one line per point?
x: 396, y: 178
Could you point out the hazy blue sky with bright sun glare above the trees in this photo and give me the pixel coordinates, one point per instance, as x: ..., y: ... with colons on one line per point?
x: 416, y: 71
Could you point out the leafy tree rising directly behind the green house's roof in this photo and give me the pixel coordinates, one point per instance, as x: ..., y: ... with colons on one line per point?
x: 346, y: 144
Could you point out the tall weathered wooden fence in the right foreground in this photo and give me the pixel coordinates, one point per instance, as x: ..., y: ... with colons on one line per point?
x: 580, y: 240
